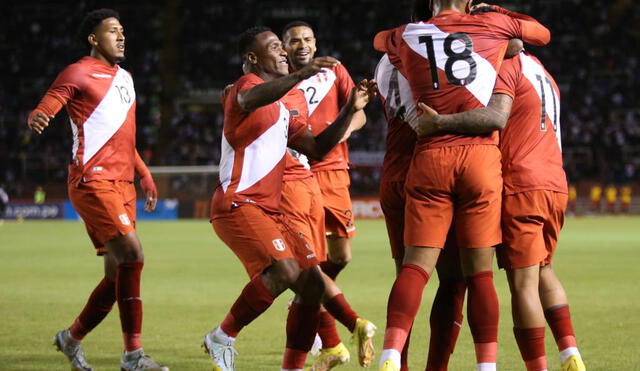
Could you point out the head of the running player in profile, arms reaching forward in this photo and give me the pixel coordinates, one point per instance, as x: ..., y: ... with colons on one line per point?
x: 268, y: 59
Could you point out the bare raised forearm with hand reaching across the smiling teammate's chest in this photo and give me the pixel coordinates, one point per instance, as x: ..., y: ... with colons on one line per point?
x: 271, y: 91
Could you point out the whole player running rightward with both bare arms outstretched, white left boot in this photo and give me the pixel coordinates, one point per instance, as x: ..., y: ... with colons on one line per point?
x: 245, y: 209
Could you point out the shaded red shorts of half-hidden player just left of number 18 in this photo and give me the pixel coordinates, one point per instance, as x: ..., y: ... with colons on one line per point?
x: 392, y: 201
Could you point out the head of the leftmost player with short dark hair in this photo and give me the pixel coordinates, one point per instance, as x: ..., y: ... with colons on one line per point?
x: 107, y: 41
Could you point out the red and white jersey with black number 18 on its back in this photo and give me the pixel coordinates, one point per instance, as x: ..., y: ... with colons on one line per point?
x: 451, y: 62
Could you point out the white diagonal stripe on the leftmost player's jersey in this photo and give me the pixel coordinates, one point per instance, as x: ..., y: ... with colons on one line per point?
x: 109, y: 115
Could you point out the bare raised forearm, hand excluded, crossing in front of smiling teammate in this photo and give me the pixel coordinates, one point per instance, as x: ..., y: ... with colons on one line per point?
x: 267, y: 93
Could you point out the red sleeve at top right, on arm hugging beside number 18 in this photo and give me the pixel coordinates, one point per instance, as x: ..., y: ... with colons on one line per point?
x: 510, y: 25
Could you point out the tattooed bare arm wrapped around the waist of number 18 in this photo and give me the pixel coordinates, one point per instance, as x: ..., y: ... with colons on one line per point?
x: 475, y: 122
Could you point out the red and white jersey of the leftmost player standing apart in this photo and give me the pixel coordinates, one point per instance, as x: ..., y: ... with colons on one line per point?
x: 101, y: 102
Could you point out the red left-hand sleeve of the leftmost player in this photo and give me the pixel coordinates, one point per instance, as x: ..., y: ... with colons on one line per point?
x: 65, y: 87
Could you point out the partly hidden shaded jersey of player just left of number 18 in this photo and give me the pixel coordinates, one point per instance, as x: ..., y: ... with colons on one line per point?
x: 395, y: 93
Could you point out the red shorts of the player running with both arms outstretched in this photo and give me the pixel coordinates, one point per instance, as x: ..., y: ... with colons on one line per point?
x: 259, y: 239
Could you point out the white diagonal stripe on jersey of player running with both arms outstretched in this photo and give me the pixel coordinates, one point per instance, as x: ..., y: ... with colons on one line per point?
x: 264, y: 153
